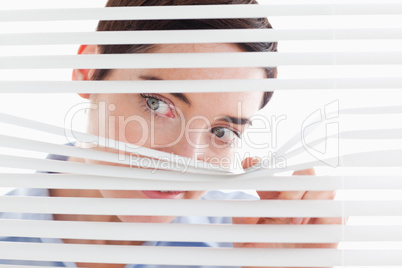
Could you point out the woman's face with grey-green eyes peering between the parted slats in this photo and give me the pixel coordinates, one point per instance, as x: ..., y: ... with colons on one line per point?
x: 205, y: 126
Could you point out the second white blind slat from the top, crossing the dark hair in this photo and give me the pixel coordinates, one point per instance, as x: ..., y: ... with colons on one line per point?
x: 195, y: 36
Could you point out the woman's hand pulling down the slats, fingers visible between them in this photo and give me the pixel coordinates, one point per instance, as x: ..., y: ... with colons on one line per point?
x: 289, y: 195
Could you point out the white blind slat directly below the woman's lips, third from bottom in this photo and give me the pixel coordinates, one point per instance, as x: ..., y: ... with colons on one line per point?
x: 192, y: 207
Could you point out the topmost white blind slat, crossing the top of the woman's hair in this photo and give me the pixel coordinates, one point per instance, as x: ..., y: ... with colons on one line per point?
x: 199, y: 12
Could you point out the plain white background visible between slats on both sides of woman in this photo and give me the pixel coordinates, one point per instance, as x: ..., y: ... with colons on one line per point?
x: 296, y: 105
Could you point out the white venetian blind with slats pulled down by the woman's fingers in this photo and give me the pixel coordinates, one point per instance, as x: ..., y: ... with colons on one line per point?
x: 365, y: 163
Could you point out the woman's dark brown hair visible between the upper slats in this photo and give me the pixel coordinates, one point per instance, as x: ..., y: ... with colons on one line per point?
x: 149, y: 25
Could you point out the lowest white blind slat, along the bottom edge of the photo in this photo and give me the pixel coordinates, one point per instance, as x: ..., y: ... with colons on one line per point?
x: 198, y: 256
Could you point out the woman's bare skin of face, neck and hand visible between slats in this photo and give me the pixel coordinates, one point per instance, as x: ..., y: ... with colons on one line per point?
x: 200, y: 144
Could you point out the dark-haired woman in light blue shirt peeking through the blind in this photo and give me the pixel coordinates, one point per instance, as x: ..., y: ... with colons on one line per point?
x: 213, y: 123
